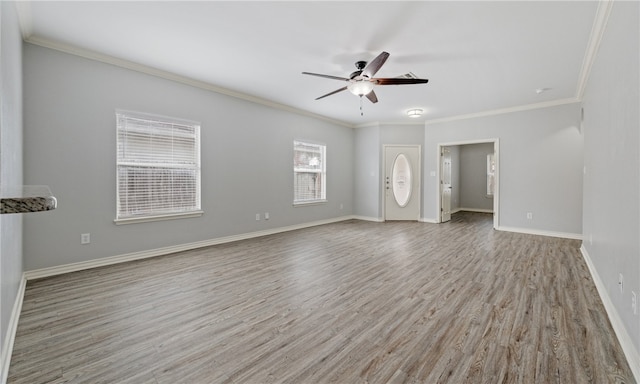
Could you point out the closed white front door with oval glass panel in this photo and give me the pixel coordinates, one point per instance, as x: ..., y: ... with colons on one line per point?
x: 402, y: 182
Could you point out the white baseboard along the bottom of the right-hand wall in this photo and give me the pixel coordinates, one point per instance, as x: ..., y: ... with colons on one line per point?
x: 630, y: 352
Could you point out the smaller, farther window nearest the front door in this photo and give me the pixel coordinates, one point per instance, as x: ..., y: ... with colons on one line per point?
x: 309, y: 173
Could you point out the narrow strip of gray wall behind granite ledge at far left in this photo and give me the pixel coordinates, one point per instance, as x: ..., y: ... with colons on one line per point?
x: 10, y: 161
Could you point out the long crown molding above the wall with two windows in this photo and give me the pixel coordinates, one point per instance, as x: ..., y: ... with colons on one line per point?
x: 100, y: 57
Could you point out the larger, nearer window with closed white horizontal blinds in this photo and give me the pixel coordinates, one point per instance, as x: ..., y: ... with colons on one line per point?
x: 158, y: 168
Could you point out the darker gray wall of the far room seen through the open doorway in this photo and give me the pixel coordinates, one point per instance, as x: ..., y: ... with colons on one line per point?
x: 473, y: 177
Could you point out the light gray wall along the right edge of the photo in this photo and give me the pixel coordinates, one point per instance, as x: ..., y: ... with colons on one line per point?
x: 612, y: 162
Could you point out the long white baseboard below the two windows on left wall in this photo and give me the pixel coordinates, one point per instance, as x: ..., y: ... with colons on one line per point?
x: 74, y: 267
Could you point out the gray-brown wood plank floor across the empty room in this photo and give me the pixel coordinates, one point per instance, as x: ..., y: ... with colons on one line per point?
x: 351, y: 302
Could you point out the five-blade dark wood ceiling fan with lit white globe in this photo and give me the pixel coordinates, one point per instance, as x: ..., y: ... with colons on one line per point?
x: 361, y: 82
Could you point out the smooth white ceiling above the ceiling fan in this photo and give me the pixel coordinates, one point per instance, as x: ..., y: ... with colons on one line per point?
x: 478, y: 56
